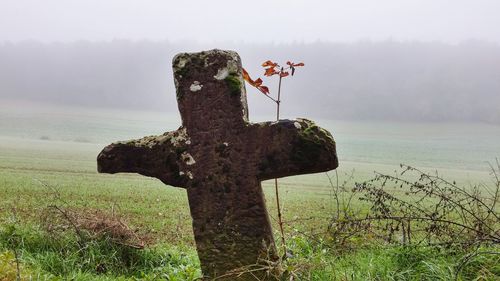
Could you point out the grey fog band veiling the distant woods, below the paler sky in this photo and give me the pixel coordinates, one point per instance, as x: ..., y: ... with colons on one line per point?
x: 349, y: 81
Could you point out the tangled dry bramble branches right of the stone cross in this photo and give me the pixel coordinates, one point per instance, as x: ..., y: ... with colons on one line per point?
x: 419, y: 208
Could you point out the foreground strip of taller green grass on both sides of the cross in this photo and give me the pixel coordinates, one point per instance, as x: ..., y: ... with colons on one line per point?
x: 51, y: 260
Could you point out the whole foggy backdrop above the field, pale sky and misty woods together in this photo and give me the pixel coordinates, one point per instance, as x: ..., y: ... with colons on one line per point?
x: 412, y: 60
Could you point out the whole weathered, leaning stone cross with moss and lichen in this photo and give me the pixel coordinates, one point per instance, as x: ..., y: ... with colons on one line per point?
x: 220, y: 158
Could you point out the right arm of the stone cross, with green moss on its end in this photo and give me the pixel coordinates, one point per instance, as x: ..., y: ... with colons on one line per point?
x: 295, y: 147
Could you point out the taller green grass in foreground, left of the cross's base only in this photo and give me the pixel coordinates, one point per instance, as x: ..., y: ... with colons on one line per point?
x: 99, y: 259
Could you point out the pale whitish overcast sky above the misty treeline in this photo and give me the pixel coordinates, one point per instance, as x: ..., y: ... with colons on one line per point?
x: 256, y: 21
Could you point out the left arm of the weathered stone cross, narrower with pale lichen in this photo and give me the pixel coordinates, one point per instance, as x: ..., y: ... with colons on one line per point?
x: 160, y: 156
